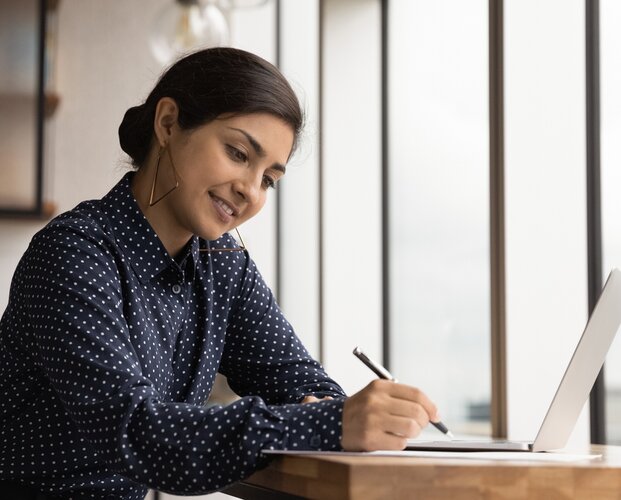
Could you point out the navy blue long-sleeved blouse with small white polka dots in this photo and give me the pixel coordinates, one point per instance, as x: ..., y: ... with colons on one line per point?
x: 109, y: 349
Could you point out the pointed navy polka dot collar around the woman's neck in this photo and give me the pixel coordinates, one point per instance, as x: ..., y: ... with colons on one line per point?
x: 135, y: 236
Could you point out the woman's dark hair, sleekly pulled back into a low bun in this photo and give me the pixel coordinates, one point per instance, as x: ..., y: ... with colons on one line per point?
x: 207, y: 84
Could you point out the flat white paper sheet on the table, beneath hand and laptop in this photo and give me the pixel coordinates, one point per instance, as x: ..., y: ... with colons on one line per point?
x: 462, y: 455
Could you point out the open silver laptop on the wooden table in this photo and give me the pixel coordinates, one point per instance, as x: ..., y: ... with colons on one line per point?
x: 573, y: 391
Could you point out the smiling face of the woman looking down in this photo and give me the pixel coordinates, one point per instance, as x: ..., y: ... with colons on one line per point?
x: 225, y: 170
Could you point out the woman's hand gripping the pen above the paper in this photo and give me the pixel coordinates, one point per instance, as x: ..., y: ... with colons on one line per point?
x: 383, y: 415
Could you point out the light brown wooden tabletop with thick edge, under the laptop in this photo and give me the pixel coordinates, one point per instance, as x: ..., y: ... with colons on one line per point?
x: 393, y: 478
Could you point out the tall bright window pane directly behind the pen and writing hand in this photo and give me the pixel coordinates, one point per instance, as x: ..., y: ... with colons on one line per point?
x: 439, y: 208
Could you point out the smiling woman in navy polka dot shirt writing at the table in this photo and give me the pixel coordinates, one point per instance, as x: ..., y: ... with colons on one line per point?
x: 123, y: 310
